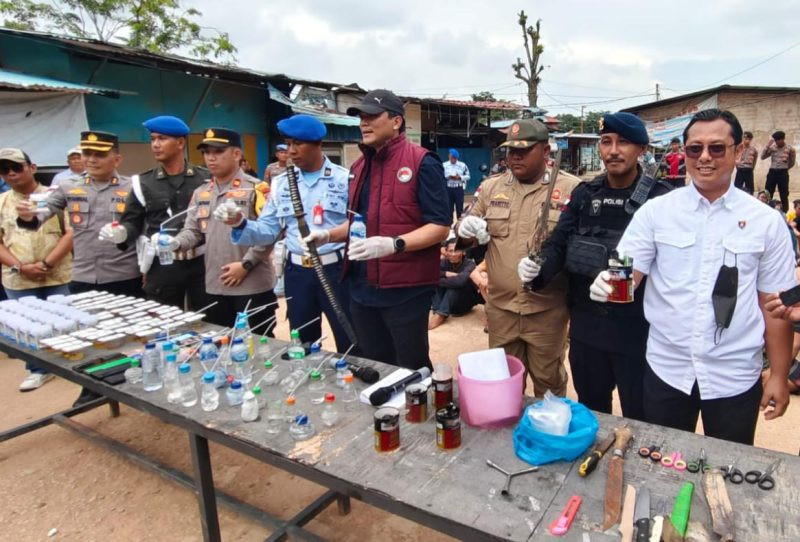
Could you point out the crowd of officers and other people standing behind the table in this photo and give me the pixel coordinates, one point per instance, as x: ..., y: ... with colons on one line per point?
x: 708, y: 259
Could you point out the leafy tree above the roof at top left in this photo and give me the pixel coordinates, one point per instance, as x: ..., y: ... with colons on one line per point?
x: 159, y: 26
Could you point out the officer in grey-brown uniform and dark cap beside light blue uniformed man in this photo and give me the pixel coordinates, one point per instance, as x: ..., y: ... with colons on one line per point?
x: 234, y: 274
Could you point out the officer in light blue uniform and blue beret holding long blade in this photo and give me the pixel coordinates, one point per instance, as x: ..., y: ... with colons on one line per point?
x: 323, y: 191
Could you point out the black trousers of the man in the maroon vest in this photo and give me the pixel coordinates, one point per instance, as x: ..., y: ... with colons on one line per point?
x: 395, y: 335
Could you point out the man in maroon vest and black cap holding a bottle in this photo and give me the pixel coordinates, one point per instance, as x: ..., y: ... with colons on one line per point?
x: 400, y: 190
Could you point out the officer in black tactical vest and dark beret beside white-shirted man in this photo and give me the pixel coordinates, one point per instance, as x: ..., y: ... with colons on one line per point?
x: 607, y: 341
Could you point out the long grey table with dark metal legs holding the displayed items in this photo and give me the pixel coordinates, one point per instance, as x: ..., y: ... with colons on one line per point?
x: 450, y: 491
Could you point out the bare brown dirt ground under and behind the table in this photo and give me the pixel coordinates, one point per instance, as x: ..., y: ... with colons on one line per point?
x: 52, y: 479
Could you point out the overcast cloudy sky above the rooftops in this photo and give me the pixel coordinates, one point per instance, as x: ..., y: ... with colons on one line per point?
x: 604, y: 55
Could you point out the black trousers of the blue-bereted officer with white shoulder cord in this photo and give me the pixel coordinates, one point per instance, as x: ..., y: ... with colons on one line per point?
x: 173, y: 284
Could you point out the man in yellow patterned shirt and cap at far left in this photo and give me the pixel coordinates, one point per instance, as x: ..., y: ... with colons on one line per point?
x: 38, y: 262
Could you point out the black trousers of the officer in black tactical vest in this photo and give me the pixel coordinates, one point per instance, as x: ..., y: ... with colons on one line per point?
x: 596, y: 372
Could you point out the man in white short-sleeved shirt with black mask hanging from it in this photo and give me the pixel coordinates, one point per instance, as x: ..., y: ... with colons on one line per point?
x: 713, y: 256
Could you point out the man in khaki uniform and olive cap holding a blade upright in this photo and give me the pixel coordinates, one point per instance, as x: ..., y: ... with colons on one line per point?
x: 530, y: 326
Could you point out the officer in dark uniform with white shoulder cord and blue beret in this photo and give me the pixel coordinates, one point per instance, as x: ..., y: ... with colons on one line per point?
x: 156, y: 196
